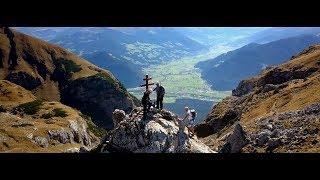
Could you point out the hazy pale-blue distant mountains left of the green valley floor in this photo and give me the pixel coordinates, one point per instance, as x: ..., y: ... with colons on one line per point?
x: 128, y: 48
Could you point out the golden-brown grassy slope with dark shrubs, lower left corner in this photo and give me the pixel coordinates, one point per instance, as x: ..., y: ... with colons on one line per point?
x: 16, y: 125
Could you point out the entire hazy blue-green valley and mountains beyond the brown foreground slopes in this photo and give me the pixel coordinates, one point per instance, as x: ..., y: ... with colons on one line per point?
x: 202, y: 64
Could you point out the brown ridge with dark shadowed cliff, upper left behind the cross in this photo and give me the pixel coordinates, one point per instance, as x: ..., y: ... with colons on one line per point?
x: 52, y: 73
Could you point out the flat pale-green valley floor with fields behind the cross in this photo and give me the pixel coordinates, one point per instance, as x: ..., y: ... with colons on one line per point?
x: 183, y: 81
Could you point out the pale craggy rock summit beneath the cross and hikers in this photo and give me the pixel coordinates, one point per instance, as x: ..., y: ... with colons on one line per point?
x: 158, y: 133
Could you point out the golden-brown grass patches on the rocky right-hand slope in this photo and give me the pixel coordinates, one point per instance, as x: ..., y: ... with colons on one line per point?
x: 298, y: 94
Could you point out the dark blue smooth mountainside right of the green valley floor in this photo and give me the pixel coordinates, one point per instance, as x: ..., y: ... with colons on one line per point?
x: 225, y: 71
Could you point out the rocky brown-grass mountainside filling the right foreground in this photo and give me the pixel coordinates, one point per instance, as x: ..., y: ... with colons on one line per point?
x: 276, y: 108
